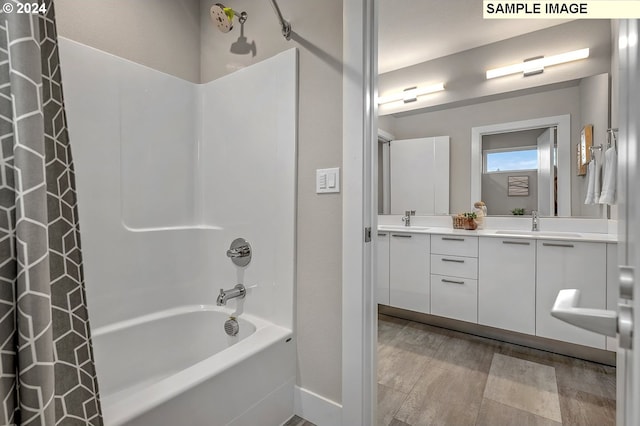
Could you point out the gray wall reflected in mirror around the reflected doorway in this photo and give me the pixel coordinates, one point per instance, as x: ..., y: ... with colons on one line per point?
x: 457, y: 123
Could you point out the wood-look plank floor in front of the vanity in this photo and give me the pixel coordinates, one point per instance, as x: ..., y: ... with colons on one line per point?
x: 433, y: 376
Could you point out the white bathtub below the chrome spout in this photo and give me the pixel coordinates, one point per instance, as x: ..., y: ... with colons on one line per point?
x: 179, y: 367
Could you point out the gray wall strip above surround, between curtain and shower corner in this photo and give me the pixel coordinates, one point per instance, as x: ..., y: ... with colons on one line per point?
x: 161, y: 34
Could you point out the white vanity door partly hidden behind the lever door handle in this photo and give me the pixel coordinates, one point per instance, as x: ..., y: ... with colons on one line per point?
x: 575, y: 265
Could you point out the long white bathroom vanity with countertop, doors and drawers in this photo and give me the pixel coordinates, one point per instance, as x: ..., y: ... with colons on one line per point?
x: 506, y: 280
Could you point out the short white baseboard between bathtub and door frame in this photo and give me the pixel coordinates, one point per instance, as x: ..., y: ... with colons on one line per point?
x: 315, y: 408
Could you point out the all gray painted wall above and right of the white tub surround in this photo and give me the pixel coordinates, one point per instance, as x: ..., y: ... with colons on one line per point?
x: 175, y: 36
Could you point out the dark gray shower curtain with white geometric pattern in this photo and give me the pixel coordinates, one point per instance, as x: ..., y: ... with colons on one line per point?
x: 47, y: 374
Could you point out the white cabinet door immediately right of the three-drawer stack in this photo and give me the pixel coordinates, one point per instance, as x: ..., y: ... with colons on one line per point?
x: 507, y: 284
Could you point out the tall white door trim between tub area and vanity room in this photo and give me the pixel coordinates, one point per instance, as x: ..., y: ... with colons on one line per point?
x: 359, y: 310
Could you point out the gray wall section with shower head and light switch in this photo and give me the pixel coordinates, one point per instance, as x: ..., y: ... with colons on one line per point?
x: 317, y: 33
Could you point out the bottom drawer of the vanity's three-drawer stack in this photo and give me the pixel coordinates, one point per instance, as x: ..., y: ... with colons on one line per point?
x: 453, y: 297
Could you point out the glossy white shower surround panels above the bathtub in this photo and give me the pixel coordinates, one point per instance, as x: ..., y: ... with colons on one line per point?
x: 157, y: 214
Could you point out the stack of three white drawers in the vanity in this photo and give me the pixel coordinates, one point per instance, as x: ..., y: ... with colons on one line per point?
x: 454, y: 277
